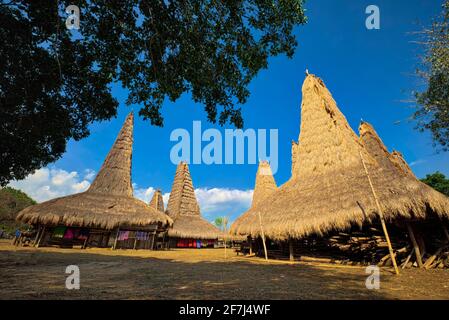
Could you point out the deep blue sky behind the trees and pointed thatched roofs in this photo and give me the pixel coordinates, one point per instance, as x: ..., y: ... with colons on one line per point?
x: 369, y: 72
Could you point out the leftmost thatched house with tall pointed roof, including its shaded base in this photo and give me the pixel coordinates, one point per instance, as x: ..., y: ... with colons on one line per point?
x: 106, y: 214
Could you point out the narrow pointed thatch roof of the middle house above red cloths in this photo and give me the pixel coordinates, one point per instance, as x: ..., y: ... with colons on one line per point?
x: 183, y: 208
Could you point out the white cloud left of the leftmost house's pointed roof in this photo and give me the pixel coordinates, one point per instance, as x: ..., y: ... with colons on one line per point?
x: 48, y: 183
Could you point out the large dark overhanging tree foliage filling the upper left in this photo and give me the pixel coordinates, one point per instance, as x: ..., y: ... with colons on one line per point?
x: 54, y: 82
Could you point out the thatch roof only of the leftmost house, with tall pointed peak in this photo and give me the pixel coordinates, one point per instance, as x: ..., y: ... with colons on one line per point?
x: 109, y: 201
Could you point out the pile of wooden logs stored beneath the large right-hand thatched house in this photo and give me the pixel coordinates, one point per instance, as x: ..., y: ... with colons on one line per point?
x: 369, y: 246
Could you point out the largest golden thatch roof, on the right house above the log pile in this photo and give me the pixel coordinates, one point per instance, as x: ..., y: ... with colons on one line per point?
x: 331, y: 190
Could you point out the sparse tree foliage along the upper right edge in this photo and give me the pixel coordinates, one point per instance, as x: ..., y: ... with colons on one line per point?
x: 433, y: 102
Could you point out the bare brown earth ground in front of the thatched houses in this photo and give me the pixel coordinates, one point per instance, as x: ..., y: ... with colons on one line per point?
x: 29, y: 273
